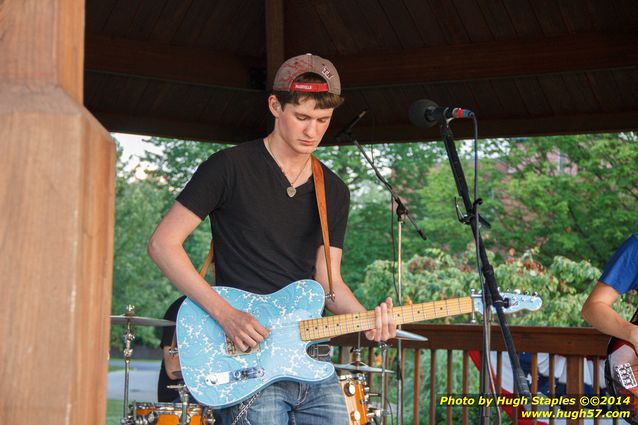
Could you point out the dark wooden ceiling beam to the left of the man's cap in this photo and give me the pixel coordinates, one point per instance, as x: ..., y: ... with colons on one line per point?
x: 182, y: 64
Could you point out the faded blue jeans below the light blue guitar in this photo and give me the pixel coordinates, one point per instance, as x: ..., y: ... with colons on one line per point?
x: 289, y: 402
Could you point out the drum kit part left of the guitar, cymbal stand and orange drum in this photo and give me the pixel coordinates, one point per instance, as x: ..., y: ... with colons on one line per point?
x: 145, y: 413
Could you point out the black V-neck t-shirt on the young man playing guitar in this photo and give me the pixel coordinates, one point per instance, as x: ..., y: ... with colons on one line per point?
x: 263, y: 238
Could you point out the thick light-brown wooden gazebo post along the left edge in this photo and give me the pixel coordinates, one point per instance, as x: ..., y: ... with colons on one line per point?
x: 57, y: 179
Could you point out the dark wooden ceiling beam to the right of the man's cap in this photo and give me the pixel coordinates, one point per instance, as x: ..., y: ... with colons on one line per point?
x: 489, y: 60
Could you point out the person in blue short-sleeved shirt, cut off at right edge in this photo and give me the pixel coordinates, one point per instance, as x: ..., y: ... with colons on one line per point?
x: 620, y: 276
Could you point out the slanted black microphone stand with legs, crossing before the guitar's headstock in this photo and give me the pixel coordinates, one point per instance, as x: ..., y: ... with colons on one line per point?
x: 491, y: 296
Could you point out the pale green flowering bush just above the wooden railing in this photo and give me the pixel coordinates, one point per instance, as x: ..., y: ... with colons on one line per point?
x: 436, y: 275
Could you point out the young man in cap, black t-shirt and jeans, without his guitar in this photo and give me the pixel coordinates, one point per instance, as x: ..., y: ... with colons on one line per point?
x: 260, y: 196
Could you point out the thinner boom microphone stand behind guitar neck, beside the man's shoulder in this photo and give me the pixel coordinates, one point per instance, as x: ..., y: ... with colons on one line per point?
x: 402, y: 213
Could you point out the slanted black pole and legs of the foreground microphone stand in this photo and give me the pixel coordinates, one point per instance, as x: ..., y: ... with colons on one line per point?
x: 491, y: 290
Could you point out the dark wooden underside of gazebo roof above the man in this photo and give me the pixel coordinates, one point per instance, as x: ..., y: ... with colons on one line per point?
x: 199, y: 69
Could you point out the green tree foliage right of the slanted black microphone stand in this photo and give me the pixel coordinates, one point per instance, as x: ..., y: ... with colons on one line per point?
x: 574, y: 196
